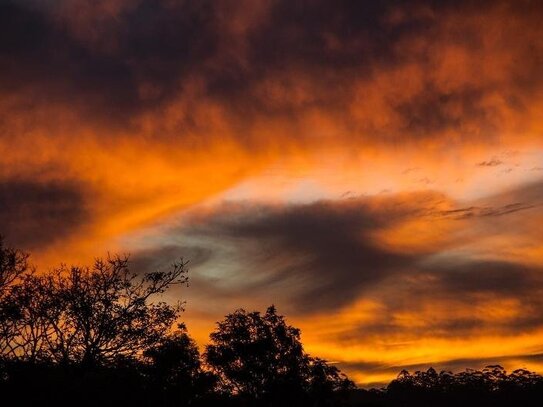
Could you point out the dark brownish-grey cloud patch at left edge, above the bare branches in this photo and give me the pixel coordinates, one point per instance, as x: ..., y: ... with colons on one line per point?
x: 34, y: 215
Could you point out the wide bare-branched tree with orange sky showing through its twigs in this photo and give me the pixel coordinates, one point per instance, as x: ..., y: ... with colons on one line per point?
x: 107, y: 312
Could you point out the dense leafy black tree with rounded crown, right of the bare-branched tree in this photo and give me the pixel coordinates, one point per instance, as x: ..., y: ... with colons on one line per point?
x: 260, y: 358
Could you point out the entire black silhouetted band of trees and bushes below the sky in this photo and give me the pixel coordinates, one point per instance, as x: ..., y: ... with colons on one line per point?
x: 102, y: 336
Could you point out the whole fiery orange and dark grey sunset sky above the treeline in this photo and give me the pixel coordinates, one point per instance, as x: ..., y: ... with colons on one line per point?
x: 372, y: 168
